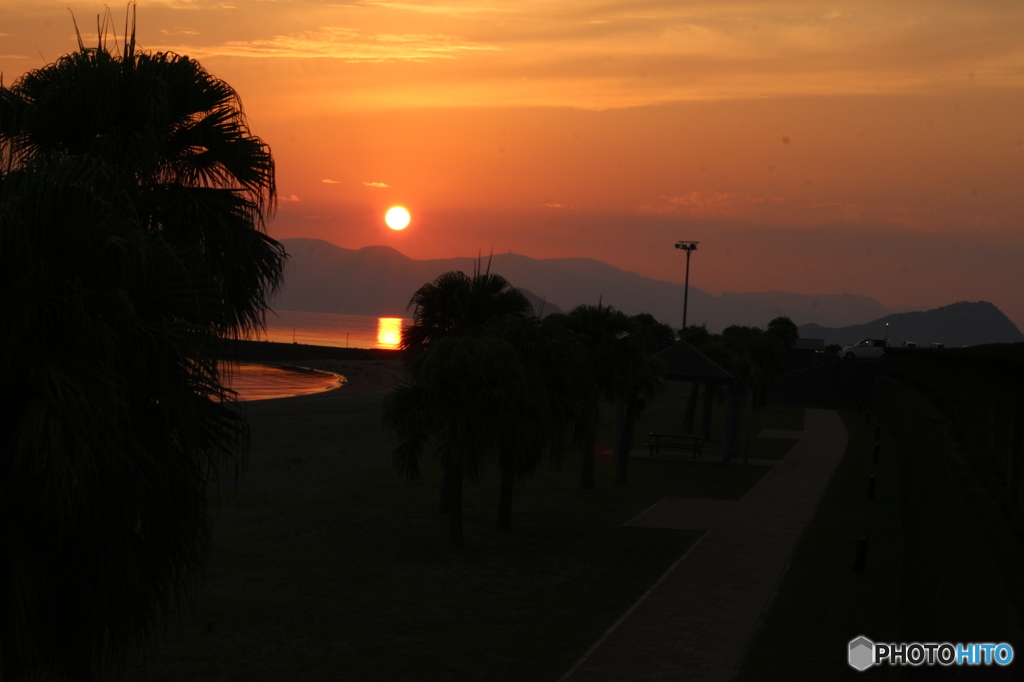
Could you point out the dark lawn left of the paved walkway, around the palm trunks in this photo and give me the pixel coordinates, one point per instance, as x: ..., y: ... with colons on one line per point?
x: 327, y: 566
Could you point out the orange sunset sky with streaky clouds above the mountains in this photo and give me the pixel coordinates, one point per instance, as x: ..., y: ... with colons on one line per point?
x: 870, y: 148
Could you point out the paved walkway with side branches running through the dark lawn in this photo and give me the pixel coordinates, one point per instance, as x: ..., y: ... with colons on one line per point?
x: 696, y: 623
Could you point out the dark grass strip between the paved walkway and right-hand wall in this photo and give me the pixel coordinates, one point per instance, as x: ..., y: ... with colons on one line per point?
x: 823, y: 604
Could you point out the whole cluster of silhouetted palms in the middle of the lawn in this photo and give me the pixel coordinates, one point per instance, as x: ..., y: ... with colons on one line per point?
x: 487, y: 378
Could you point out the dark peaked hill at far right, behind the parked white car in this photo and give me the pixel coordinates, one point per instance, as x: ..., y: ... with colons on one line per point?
x: 962, y: 324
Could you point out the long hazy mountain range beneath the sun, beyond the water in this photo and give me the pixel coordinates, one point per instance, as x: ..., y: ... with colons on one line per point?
x: 379, y: 281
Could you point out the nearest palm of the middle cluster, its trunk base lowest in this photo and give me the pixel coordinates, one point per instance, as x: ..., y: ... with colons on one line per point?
x: 465, y: 393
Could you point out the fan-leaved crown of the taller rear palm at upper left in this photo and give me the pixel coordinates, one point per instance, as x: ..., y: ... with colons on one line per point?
x: 179, y: 143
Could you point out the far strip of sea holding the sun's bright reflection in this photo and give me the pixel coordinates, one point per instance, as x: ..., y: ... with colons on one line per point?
x: 328, y: 329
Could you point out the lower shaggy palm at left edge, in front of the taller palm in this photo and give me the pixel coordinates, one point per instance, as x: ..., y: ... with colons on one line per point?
x: 112, y: 421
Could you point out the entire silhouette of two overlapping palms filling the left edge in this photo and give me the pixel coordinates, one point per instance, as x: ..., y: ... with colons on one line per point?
x: 133, y: 207
